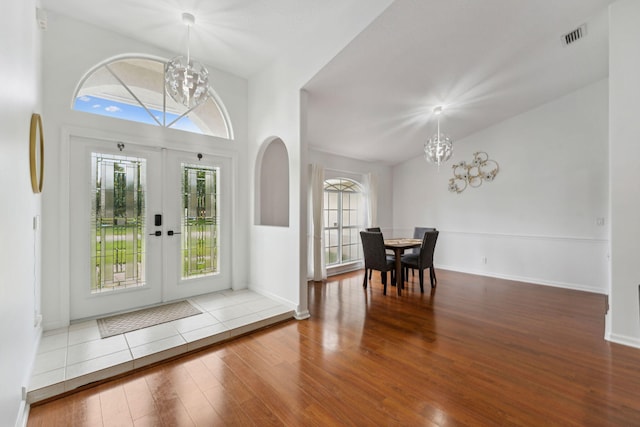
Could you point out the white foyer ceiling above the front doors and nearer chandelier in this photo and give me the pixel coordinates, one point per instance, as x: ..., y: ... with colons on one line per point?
x: 237, y: 36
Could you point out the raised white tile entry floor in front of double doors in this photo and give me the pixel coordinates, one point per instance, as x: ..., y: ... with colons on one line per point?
x: 75, y: 356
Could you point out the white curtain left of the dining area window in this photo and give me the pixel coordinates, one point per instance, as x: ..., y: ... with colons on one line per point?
x: 316, y: 268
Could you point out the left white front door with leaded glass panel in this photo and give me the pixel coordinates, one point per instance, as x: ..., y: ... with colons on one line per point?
x: 115, y: 247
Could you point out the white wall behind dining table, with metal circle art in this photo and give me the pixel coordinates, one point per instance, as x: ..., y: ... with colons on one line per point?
x: 537, y: 221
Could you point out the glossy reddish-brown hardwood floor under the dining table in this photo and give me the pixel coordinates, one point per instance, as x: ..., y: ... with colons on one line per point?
x: 476, y: 351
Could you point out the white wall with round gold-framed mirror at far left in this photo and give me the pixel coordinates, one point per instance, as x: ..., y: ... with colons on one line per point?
x: 20, y: 247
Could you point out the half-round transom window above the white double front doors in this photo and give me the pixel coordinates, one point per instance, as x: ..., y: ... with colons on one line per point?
x: 132, y: 88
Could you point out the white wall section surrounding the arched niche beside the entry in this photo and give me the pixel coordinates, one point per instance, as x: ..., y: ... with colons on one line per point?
x: 276, y: 109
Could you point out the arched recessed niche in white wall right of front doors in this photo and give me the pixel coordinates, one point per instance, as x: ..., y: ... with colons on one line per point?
x: 272, y: 184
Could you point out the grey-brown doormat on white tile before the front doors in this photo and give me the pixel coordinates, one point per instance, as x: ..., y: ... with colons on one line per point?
x: 127, y: 322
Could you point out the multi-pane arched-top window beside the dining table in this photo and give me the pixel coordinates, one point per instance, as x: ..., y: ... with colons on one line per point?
x: 343, y: 219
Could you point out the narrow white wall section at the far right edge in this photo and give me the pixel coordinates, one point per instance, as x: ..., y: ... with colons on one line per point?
x: 624, y: 70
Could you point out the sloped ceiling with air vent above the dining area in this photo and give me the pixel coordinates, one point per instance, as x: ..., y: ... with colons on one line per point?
x: 484, y: 61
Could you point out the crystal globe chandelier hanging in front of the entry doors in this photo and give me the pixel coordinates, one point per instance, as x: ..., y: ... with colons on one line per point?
x: 187, y: 81
